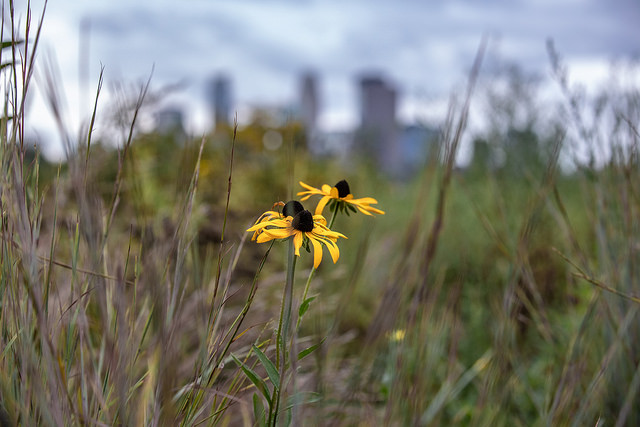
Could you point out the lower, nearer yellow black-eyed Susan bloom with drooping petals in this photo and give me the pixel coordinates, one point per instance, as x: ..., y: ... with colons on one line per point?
x: 300, y: 224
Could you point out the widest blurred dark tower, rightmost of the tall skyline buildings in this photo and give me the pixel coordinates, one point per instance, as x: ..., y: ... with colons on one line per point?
x: 378, y: 133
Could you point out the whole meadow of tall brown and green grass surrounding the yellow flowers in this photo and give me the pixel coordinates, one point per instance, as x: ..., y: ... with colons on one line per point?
x: 130, y: 294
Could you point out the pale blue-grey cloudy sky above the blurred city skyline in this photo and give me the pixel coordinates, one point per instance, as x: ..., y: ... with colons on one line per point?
x: 424, y: 47
